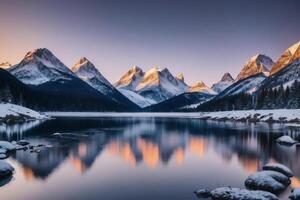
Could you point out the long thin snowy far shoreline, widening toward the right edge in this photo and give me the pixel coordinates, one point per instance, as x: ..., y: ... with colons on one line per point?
x: 279, y: 115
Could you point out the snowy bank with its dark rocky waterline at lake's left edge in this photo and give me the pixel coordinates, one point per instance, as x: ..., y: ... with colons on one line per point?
x: 13, y: 113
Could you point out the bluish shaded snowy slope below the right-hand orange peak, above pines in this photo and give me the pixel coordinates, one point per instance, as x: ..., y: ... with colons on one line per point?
x: 247, y: 85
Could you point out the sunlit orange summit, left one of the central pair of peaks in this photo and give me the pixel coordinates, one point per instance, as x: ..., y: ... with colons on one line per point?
x: 131, y: 79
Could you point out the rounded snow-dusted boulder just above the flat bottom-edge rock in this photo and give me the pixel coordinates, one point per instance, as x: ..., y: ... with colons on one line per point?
x: 262, y: 181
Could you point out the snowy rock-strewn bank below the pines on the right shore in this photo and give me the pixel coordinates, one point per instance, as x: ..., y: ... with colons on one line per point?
x: 279, y: 115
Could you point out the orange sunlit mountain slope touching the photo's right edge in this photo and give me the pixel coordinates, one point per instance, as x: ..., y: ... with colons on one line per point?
x: 289, y: 55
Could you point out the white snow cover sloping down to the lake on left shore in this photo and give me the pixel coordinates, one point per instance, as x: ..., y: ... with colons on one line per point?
x: 7, y: 109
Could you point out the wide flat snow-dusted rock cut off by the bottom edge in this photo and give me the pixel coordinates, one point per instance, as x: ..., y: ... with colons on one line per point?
x: 227, y: 193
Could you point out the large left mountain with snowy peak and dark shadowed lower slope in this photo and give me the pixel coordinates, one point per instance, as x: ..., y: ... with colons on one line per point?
x: 52, y: 86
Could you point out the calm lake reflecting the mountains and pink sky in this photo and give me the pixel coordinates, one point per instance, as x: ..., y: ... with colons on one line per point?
x: 126, y: 158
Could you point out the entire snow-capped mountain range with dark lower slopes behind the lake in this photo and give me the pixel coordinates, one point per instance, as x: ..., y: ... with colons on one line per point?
x: 41, y: 81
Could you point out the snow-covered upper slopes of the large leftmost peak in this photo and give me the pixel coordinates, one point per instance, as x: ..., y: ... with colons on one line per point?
x: 41, y: 66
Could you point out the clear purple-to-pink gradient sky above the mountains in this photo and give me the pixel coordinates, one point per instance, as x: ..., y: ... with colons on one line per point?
x: 201, y: 39
